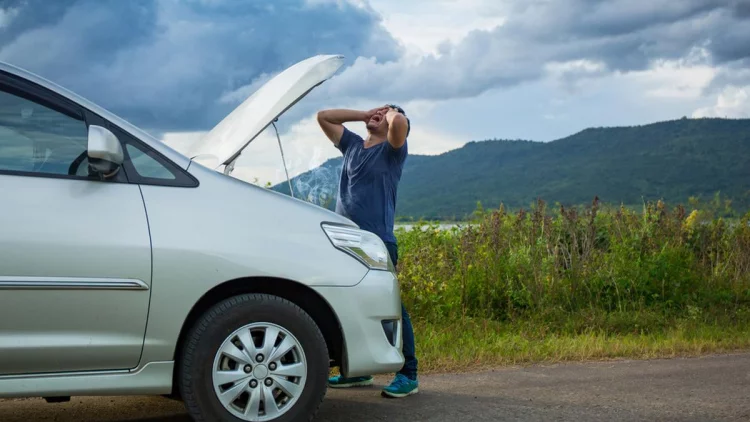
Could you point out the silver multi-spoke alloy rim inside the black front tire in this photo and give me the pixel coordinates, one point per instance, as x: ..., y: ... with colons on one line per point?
x: 259, y: 372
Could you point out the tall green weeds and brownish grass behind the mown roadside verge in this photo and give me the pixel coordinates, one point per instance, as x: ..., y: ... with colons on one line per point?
x: 580, y: 270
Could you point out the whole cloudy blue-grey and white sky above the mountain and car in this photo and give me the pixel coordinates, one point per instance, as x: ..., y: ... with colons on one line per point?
x: 468, y: 70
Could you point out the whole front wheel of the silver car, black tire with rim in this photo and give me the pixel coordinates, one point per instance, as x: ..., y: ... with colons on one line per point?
x: 220, y: 329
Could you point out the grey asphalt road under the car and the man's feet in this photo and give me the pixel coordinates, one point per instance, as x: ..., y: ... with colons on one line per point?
x: 715, y: 388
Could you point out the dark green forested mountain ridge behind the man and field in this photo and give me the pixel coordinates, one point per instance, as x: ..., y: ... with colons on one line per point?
x: 671, y: 160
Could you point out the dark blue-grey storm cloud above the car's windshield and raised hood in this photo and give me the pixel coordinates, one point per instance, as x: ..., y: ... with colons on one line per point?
x: 165, y: 64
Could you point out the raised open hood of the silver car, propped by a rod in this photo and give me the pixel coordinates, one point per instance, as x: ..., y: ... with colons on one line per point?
x: 224, y: 143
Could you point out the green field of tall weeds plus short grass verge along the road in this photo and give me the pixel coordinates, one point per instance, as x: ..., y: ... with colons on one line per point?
x: 547, y: 285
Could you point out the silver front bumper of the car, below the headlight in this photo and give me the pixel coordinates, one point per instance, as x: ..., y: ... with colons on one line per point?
x: 370, y: 318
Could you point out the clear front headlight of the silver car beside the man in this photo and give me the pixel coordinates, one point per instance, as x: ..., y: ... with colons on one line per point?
x: 361, y: 244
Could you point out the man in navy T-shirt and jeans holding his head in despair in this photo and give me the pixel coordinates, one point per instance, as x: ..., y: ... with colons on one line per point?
x: 367, y: 195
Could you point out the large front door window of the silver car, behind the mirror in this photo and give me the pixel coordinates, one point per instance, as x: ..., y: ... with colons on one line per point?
x: 37, y: 139
